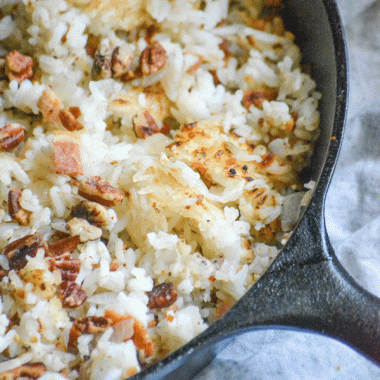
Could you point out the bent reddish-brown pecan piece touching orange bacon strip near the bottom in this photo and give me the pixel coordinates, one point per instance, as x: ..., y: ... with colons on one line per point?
x: 87, y: 325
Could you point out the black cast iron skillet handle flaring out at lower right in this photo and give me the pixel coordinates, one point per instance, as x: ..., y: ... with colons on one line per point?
x: 307, y: 287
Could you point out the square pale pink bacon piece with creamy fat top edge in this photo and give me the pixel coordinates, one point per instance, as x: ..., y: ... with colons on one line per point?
x: 67, y: 154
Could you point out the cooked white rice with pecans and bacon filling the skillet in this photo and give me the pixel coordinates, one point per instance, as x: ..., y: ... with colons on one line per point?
x: 197, y: 118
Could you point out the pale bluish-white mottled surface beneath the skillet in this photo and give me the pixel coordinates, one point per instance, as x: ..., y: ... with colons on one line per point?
x: 353, y: 223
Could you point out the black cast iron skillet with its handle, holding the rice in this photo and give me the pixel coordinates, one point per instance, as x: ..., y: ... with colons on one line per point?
x: 305, y: 287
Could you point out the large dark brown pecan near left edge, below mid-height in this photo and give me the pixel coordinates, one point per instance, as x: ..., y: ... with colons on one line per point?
x: 19, y: 249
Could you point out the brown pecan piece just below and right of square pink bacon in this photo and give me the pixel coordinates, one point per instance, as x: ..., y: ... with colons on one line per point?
x: 97, y: 189
